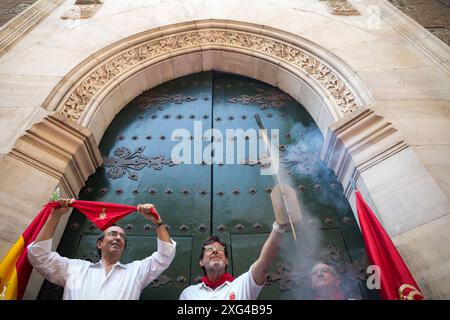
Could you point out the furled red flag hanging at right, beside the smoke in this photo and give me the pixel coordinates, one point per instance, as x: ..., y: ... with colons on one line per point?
x: 397, y: 283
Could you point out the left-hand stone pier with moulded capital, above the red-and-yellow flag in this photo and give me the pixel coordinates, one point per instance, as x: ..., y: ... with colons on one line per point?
x: 56, y: 152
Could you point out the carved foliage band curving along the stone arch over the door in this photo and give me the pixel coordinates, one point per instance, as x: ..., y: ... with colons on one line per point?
x: 122, y: 62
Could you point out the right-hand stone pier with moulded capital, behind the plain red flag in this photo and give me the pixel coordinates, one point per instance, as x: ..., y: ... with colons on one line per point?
x: 405, y: 198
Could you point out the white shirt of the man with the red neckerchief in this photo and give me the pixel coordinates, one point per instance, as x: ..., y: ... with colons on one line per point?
x: 243, y: 287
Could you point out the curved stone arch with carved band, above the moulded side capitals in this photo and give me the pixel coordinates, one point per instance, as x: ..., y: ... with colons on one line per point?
x: 296, y: 65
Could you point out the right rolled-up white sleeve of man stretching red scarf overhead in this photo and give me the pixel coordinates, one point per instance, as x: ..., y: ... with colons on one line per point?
x: 151, y: 267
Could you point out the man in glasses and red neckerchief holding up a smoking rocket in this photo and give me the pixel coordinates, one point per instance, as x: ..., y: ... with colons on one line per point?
x: 217, y: 284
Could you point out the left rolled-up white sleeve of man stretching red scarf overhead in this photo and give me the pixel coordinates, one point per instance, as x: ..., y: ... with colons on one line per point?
x: 48, y: 263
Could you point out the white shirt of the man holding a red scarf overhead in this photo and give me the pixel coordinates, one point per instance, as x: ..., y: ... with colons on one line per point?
x: 88, y: 281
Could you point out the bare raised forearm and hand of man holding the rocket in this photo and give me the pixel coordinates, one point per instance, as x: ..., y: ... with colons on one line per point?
x: 268, y: 254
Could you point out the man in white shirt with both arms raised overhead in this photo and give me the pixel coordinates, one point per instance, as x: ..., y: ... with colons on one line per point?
x: 107, y: 279
